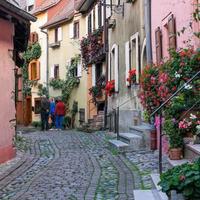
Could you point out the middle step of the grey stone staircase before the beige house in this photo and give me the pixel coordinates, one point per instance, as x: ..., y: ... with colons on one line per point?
x: 135, y: 141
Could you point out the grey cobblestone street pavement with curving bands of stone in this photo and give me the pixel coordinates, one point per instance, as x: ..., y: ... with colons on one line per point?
x: 68, y: 165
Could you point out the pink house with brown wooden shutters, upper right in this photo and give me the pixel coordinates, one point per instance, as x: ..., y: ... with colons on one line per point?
x: 168, y: 18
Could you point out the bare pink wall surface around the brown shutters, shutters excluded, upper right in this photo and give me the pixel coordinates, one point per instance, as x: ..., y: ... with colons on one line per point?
x: 182, y: 11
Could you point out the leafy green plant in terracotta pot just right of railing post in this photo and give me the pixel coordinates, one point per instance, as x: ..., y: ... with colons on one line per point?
x: 175, y: 139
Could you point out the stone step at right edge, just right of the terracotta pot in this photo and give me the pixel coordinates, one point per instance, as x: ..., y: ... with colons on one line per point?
x: 192, y: 151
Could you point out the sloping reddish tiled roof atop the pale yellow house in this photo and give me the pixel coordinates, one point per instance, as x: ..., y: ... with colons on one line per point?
x: 65, y: 14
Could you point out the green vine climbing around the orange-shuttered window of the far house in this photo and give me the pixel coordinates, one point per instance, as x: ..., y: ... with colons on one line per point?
x: 33, y: 52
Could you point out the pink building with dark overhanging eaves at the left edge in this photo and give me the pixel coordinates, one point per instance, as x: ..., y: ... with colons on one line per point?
x: 14, y: 24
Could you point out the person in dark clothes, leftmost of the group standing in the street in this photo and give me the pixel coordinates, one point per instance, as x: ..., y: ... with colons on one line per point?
x: 45, y: 106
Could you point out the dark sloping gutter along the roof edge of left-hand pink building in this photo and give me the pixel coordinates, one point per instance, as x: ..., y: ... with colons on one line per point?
x: 17, y: 11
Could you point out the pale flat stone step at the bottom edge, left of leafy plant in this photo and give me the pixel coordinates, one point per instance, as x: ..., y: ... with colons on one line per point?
x: 146, y: 195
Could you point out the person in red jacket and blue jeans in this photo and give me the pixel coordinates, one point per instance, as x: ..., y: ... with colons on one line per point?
x: 60, y: 113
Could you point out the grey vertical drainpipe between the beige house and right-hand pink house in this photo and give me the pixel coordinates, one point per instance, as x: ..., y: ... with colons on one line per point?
x: 147, y: 15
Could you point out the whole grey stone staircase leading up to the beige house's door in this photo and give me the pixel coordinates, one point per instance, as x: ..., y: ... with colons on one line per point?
x: 138, y: 138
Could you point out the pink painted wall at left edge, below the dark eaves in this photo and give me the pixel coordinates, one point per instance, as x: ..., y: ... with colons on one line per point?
x: 7, y: 106
